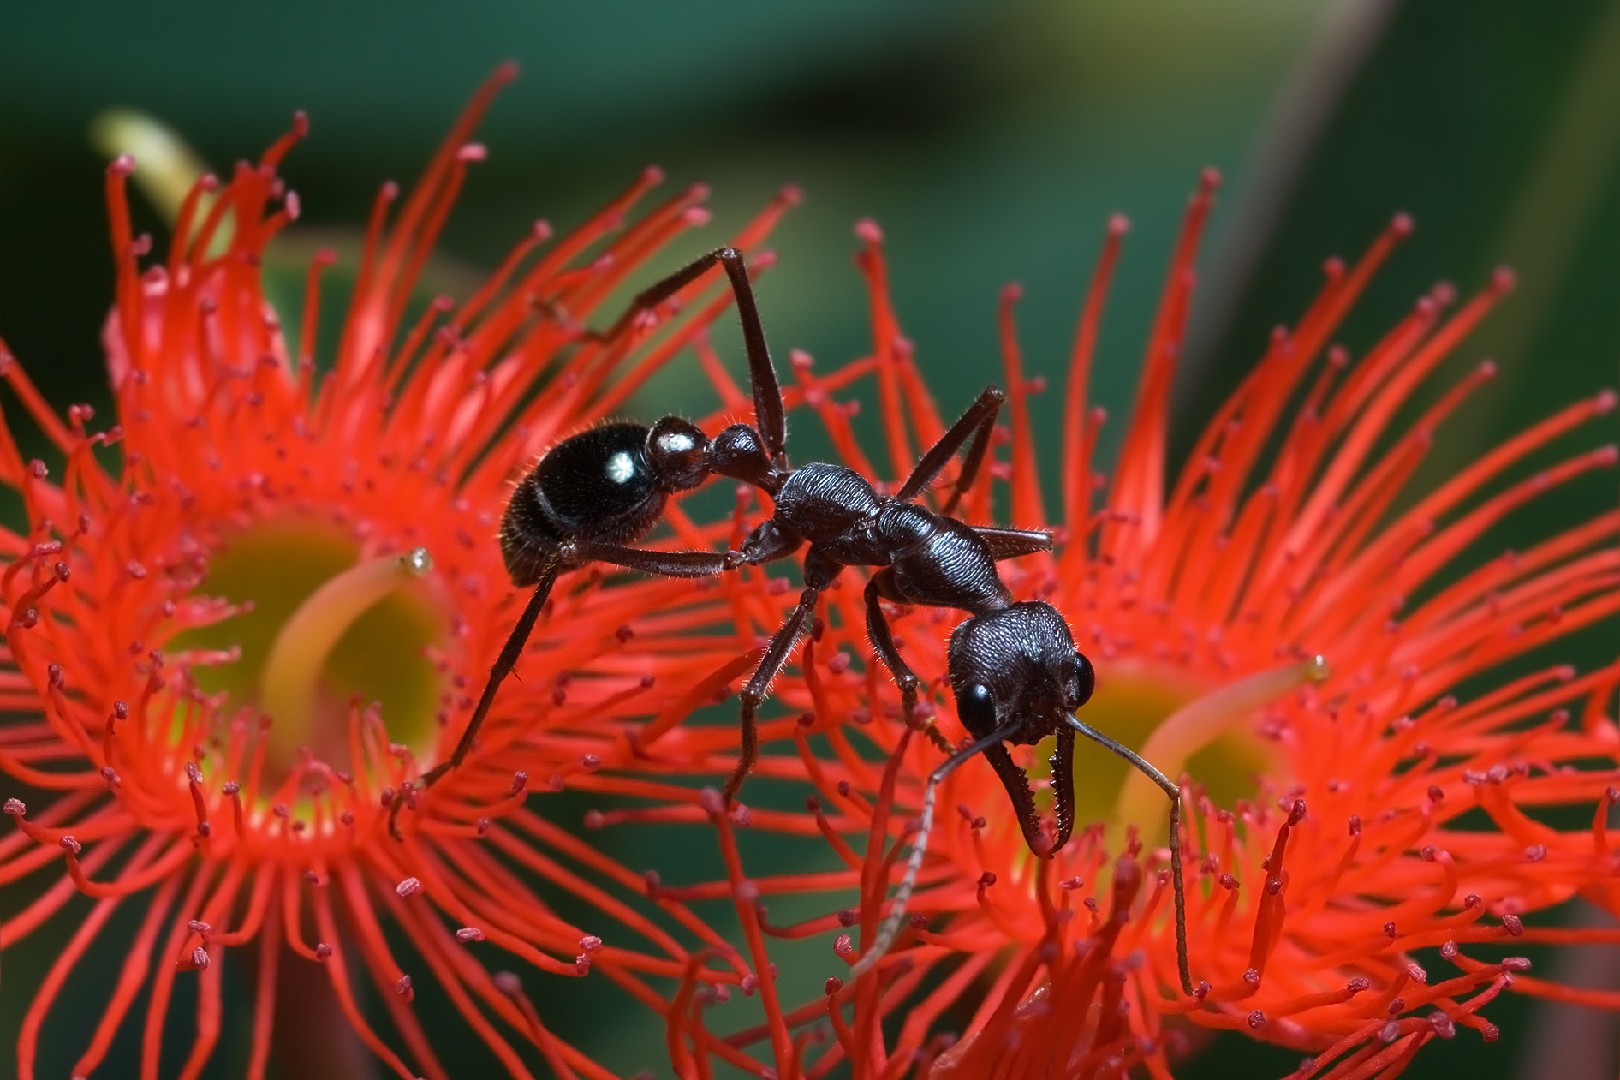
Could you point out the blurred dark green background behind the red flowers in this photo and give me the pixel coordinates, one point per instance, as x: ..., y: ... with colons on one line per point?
x: 991, y: 142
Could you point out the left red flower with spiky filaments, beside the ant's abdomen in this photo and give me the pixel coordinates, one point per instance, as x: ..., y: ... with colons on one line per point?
x: 249, y: 611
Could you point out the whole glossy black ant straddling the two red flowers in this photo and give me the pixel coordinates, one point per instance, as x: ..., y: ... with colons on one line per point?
x: 1015, y: 670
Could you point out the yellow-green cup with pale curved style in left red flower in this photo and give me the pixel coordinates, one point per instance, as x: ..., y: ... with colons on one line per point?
x: 322, y: 629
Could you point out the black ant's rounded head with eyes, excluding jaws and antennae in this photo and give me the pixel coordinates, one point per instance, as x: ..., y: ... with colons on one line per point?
x: 1018, y: 670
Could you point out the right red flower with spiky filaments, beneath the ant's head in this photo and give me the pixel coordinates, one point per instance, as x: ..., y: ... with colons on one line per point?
x: 1342, y: 817
